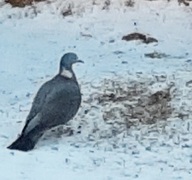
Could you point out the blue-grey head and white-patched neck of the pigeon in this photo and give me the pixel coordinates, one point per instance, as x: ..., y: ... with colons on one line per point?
x: 66, y: 63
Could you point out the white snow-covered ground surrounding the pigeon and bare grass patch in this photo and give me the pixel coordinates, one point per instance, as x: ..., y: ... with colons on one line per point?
x: 32, y: 40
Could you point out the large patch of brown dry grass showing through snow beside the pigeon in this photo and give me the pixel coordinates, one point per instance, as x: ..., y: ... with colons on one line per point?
x: 132, y: 102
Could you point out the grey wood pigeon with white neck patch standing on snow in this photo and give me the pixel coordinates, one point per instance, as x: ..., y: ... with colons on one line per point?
x: 56, y: 102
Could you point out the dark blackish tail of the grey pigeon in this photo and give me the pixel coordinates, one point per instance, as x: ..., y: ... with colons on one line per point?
x: 24, y: 143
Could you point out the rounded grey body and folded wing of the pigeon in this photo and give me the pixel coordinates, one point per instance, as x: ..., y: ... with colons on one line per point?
x: 55, y: 103
